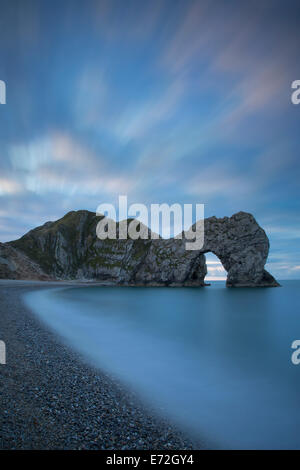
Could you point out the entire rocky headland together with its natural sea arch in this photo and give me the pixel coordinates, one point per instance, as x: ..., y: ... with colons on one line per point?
x: 70, y: 249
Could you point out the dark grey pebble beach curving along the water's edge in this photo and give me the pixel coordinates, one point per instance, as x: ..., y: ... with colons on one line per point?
x: 51, y: 398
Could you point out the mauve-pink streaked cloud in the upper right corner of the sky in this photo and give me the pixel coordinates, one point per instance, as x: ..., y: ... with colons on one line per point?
x: 248, y: 70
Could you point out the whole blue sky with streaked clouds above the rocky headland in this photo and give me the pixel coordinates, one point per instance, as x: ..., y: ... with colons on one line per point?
x: 165, y: 101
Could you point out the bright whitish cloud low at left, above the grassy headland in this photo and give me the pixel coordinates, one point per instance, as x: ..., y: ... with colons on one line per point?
x: 57, y: 162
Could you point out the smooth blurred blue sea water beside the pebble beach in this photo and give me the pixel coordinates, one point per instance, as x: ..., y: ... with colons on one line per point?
x: 217, y: 360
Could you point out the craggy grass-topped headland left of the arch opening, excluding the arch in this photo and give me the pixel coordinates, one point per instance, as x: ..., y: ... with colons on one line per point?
x: 70, y: 249
